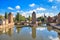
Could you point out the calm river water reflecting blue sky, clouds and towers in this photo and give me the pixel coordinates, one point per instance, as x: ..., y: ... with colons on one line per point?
x: 30, y: 33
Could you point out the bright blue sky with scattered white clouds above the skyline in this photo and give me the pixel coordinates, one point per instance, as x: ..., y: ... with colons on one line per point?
x: 26, y: 7
